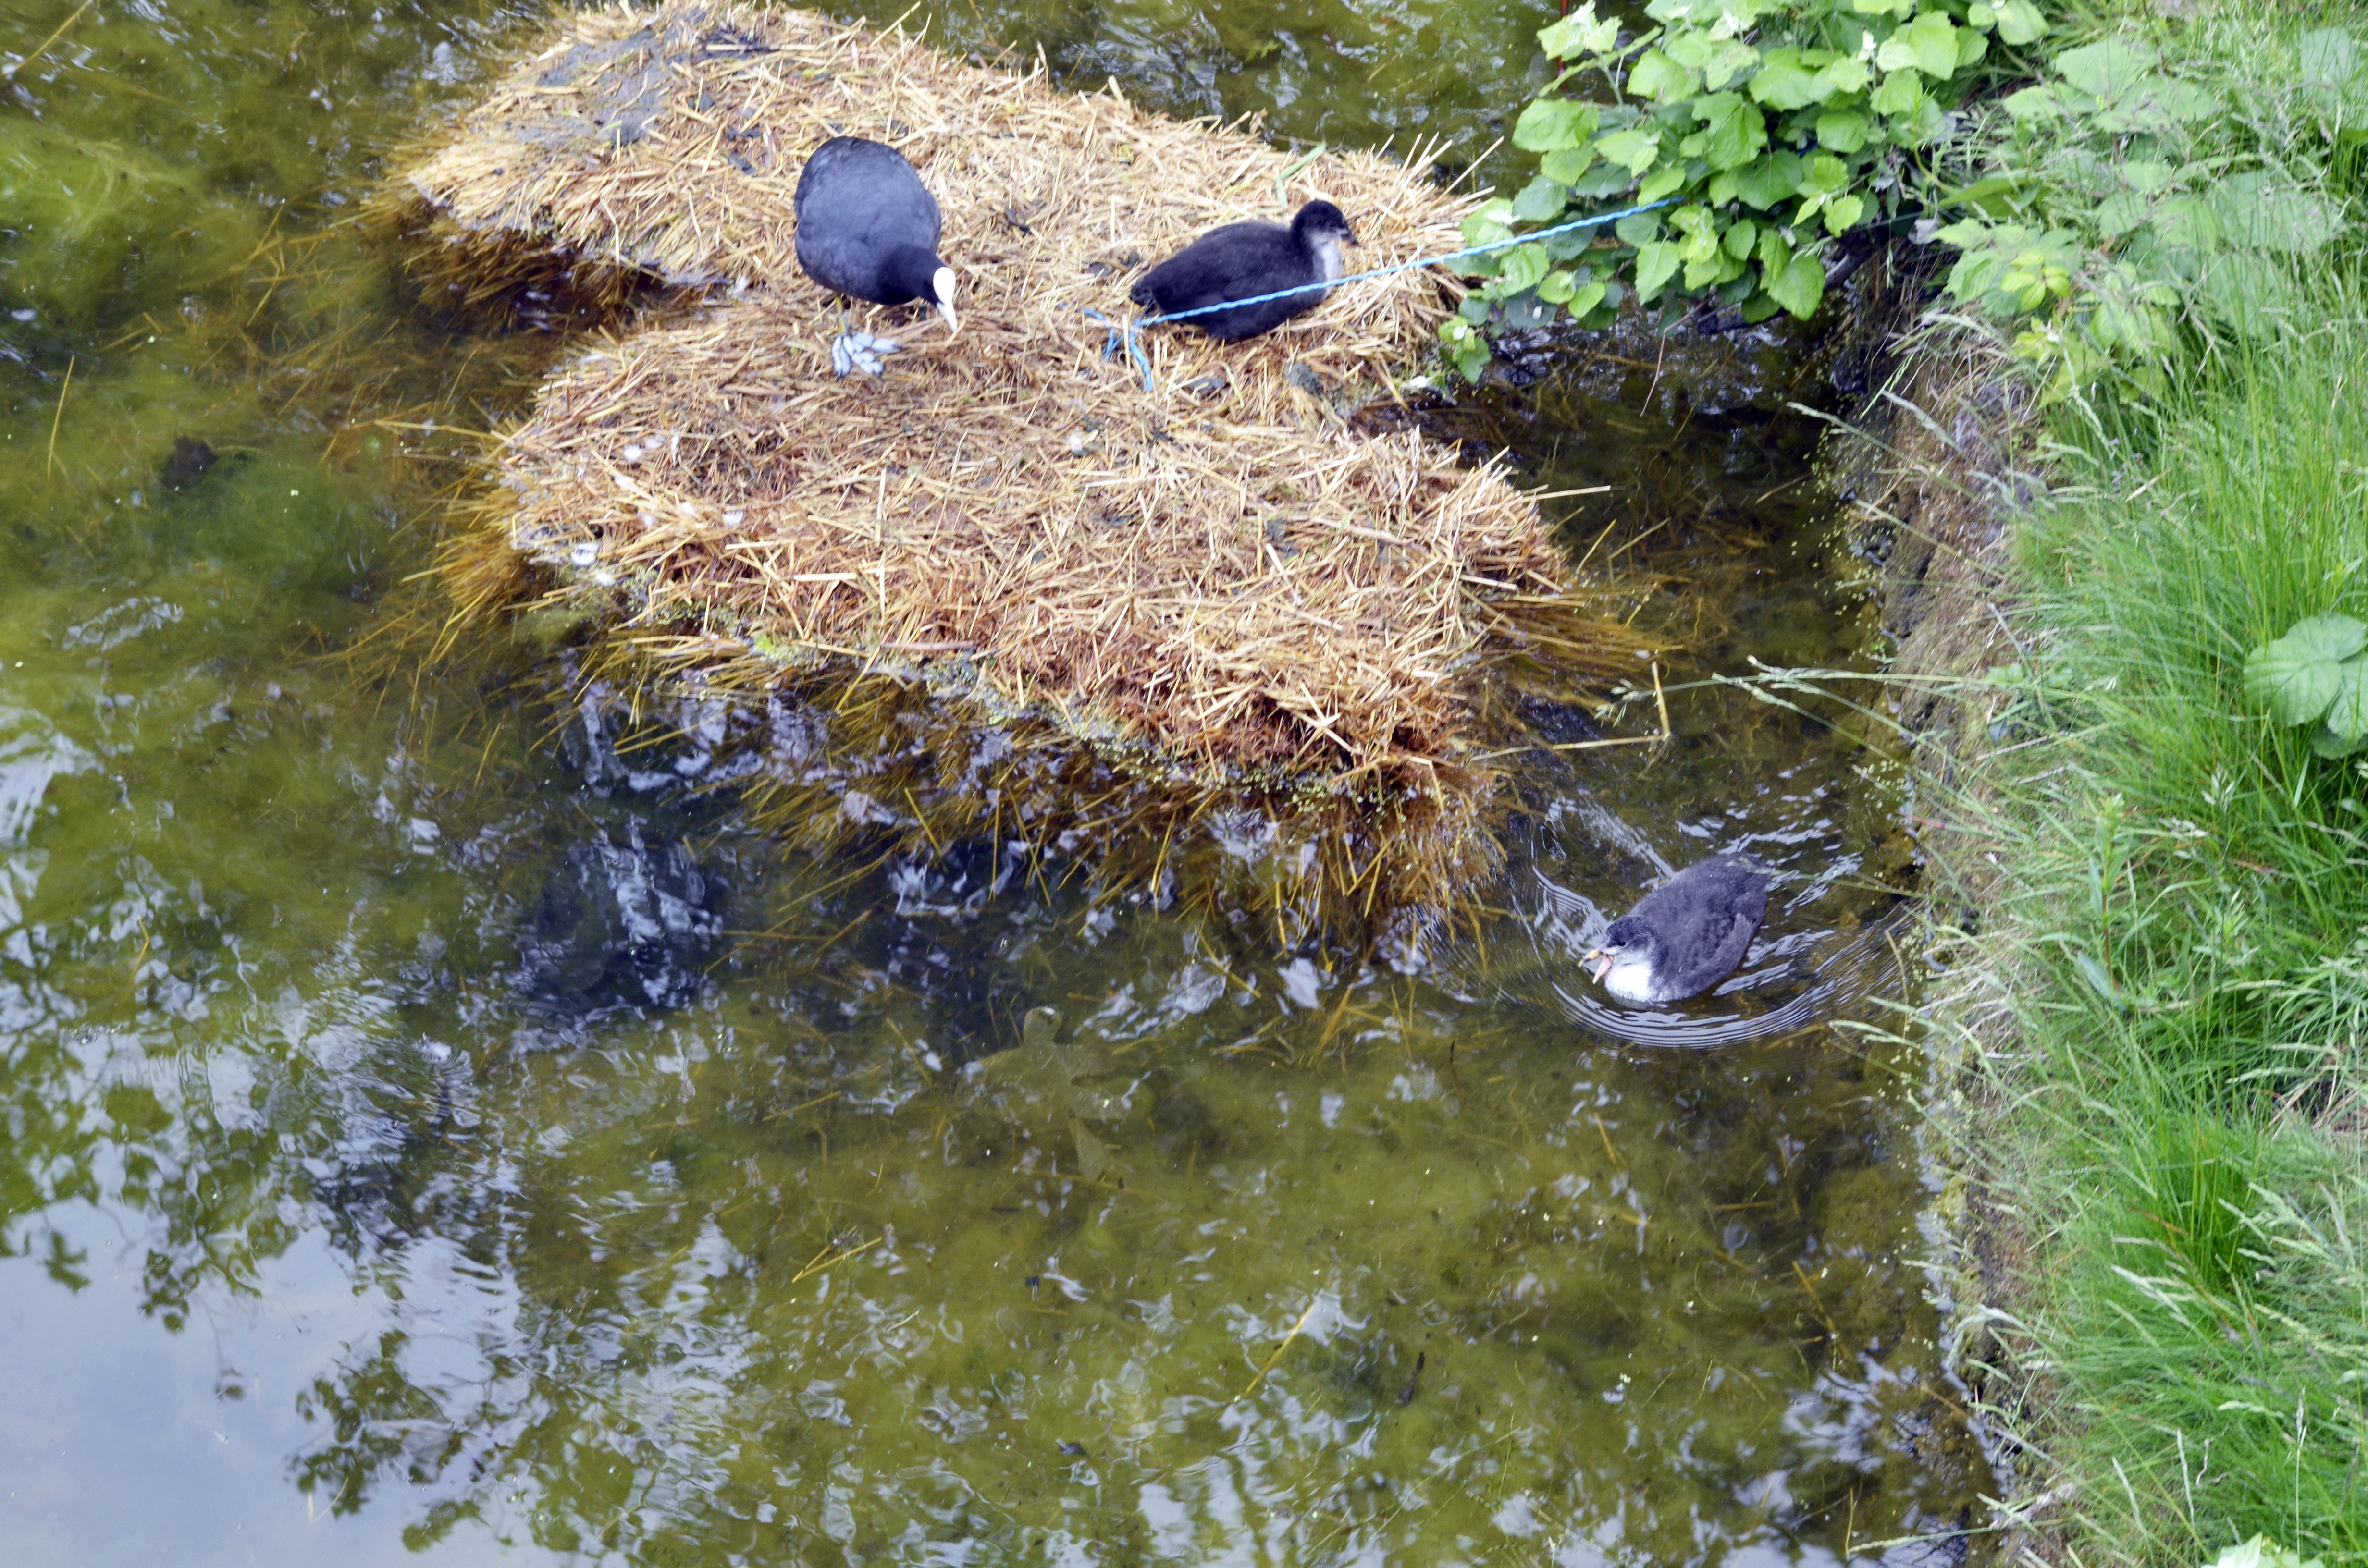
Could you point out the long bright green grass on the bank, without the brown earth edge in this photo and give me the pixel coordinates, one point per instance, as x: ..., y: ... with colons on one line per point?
x: 2180, y: 927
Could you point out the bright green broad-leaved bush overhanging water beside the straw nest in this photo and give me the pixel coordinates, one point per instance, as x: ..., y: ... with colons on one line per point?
x: 1770, y: 127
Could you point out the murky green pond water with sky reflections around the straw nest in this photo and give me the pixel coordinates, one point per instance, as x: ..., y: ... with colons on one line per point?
x: 363, y: 1202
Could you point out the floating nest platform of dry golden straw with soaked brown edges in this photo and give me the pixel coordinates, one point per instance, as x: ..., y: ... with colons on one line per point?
x: 1171, y: 567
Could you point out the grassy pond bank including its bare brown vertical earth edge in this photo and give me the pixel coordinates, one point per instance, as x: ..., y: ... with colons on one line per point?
x: 2144, y: 915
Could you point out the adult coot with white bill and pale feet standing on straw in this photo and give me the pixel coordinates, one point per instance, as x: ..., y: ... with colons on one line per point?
x: 870, y: 229
